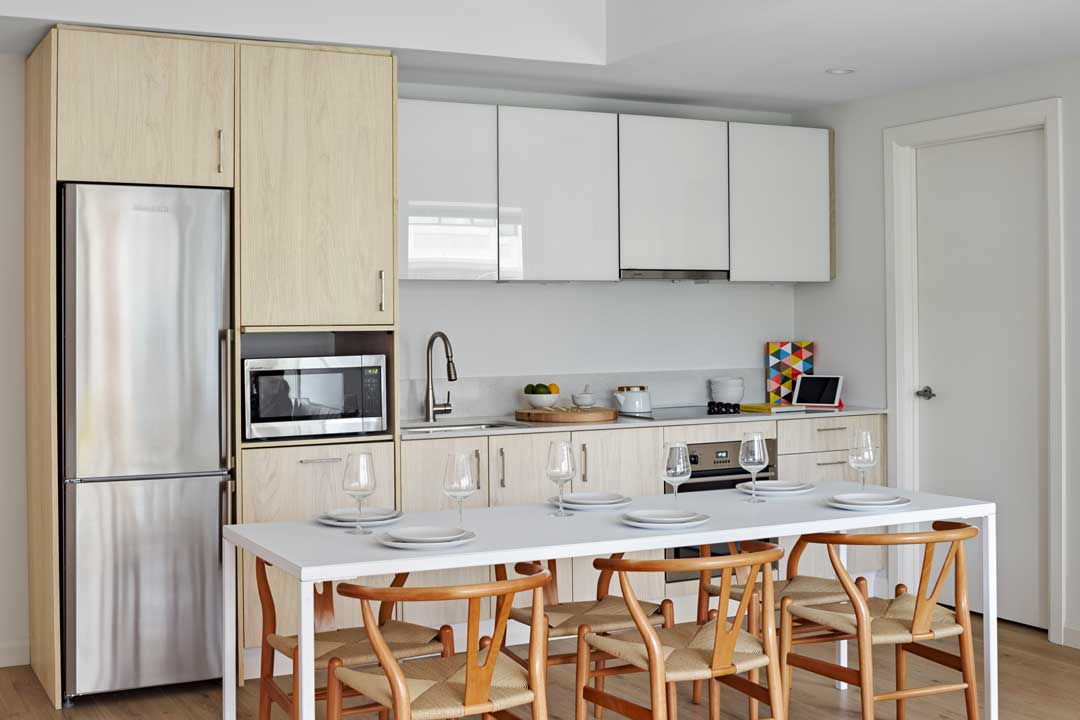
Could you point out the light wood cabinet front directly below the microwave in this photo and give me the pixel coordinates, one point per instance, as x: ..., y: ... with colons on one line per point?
x: 296, y: 484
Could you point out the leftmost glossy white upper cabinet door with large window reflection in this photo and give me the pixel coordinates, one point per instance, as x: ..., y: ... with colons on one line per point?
x: 448, y: 192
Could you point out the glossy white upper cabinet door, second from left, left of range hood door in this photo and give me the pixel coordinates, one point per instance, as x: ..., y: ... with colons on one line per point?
x: 559, y: 195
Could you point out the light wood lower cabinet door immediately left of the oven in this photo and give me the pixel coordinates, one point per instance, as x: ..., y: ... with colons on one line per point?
x: 626, y: 461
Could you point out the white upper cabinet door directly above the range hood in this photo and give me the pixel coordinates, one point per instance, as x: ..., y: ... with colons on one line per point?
x: 673, y: 194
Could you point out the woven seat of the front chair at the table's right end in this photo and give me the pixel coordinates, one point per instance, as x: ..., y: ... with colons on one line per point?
x: 892, y: 619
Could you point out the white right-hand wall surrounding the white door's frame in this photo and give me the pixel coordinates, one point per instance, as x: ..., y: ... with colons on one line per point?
x: 848, y: 317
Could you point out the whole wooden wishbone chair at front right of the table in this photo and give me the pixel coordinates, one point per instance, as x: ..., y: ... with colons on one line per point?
x: 903, y: 621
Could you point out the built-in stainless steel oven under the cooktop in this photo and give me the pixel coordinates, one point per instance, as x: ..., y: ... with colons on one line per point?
x: 715, y: 467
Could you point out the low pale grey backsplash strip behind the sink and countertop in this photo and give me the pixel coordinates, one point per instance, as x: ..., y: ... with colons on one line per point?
x: 483, y: 398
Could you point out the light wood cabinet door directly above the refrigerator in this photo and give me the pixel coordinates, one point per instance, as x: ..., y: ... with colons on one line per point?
x: 134, y: 108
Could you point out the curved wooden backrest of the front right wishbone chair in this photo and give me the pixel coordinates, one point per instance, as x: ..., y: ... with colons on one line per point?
x: 930, y: 589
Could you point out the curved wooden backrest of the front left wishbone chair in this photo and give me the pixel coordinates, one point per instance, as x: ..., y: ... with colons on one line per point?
x: 479, y: 672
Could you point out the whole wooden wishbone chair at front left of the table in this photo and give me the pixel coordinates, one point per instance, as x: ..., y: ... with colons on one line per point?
x: 480, y: 682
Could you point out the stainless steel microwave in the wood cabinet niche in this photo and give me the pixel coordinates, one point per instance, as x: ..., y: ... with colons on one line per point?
x: 305, y: 397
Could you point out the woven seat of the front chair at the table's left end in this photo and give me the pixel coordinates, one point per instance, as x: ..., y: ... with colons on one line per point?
x: 437, y: 687
